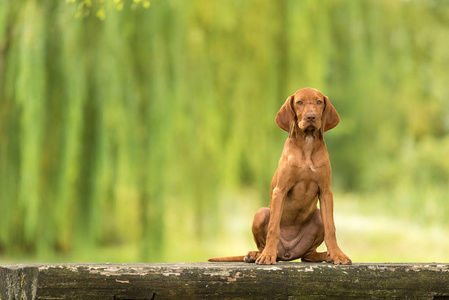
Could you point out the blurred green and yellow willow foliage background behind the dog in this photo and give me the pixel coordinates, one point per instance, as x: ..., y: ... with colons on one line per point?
x: 143, y: 131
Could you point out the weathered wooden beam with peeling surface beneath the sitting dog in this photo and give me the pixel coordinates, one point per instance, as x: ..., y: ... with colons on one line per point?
x: 223, y: 281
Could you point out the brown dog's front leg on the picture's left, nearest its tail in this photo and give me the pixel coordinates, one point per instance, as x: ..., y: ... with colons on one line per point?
x: 269, y: 254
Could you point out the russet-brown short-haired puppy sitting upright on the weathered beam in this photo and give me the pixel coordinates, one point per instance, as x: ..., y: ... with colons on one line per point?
x: 293, y: 226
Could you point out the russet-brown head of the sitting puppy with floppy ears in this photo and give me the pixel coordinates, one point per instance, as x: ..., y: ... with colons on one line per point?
x: 309, y: 110
